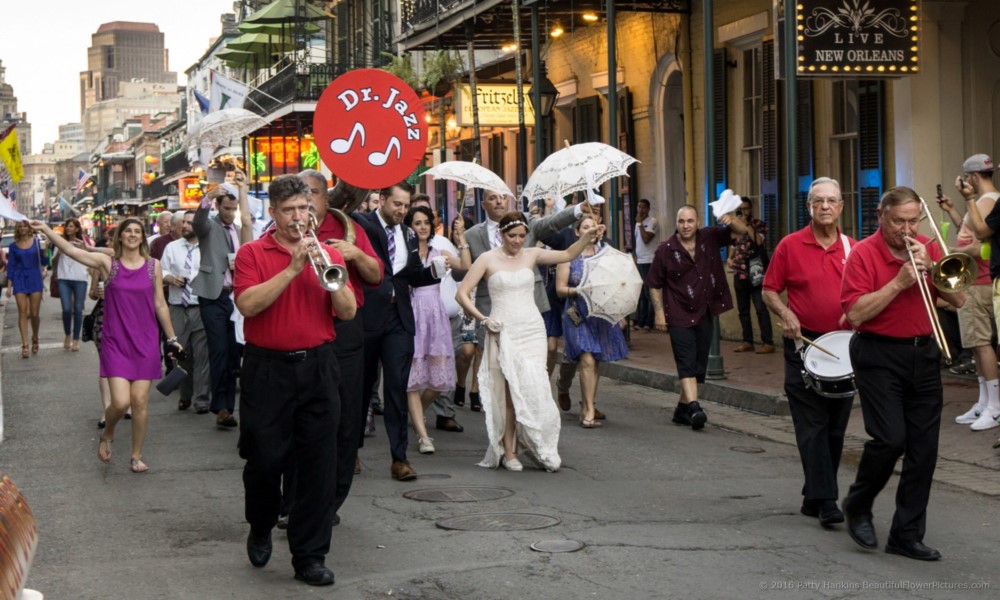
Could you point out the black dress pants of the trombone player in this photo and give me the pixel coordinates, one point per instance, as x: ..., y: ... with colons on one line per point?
x: 901, y: 398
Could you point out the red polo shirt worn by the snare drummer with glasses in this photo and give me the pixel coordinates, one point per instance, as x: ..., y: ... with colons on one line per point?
x: 812, y: 276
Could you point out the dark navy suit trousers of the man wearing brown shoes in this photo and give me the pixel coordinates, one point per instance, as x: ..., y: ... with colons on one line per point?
x: 392, y: 347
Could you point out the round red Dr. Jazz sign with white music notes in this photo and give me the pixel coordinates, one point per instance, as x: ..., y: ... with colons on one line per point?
x: 370, y: 128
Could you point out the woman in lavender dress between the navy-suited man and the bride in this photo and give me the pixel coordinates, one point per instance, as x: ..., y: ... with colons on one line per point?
x: 433, y: 369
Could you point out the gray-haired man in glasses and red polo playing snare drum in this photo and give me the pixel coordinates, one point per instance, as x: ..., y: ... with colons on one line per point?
x: 809, y: 264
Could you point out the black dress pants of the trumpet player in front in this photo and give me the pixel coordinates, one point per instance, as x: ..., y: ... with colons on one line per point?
x: 290, y: 410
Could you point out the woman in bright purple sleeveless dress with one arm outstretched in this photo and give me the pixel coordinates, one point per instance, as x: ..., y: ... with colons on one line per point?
x: 133, y: 303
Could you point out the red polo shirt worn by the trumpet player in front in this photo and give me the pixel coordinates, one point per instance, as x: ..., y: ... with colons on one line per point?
x: 300, y: 317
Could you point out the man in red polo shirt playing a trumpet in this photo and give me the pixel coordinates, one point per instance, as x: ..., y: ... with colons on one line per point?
x: 289, y: 401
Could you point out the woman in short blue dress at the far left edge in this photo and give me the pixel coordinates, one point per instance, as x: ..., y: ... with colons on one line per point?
x: 26, y: 262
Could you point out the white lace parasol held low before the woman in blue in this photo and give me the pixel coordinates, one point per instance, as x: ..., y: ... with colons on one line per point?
x: 610, y: 285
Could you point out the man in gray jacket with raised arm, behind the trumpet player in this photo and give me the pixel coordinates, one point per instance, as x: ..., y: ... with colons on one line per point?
x: 219, y: 239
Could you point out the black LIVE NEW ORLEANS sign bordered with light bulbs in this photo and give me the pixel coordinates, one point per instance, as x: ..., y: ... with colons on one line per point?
x: 858, y: 37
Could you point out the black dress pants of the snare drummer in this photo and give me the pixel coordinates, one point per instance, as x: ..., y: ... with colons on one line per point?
x: 820, y: 424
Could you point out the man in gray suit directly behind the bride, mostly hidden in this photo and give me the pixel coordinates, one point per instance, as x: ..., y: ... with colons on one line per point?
x: 485, y: 236
